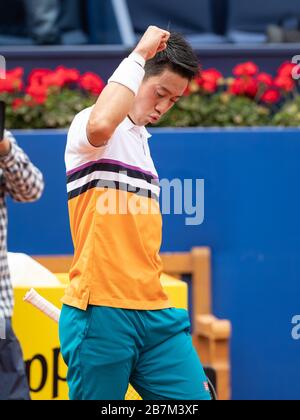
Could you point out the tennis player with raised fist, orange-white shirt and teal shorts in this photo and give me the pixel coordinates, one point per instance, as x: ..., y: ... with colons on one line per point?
x: 117, y: 325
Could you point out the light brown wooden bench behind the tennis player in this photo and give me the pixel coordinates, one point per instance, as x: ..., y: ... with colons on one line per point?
x: 211, y: 336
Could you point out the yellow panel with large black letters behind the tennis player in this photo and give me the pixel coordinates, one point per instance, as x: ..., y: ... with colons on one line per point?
x: 40, y: 343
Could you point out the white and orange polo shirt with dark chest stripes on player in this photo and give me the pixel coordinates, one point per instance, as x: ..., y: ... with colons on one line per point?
x: 115, y: 219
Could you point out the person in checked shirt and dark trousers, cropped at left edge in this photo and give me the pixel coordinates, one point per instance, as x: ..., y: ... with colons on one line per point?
x: 23, y: 182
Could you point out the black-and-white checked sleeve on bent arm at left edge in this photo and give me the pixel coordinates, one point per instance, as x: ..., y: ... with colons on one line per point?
x: 21, y: 179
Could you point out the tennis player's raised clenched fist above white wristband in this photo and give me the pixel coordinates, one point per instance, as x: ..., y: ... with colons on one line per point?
x: 153, y: 41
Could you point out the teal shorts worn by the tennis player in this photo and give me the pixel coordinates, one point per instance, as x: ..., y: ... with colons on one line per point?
x: 107, y: 348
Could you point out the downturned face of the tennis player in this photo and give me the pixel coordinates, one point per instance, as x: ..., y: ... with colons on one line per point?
x: 157, y: 95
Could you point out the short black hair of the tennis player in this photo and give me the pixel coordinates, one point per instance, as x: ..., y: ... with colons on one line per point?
x: 178, y: 57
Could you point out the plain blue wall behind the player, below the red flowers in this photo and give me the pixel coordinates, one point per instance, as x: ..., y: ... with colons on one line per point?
x: 252, y: 224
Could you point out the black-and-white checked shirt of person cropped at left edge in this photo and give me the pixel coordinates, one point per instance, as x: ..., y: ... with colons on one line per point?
x: 22, y: 181
